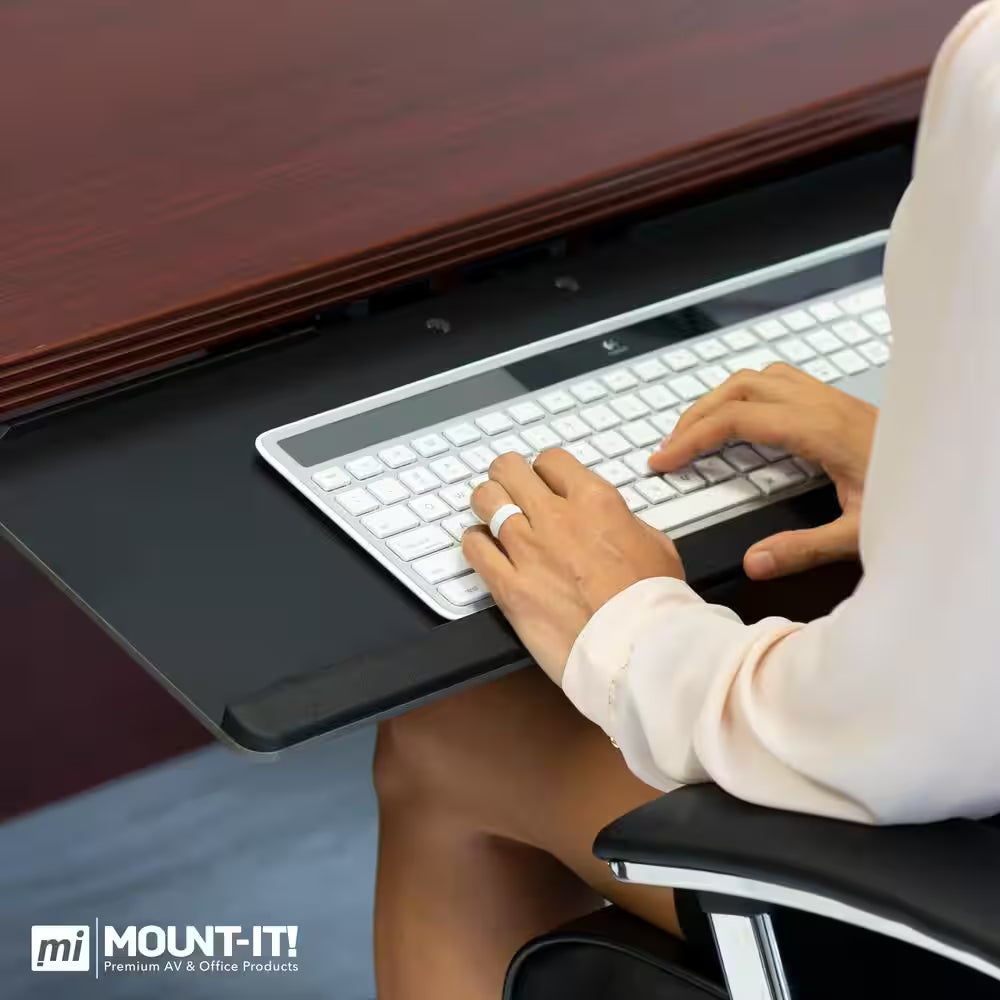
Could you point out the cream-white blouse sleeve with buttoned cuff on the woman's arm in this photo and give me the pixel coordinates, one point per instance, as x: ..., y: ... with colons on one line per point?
x: 884, y: 711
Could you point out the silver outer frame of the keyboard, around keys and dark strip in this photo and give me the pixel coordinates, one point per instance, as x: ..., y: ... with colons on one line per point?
x: 300, y: 477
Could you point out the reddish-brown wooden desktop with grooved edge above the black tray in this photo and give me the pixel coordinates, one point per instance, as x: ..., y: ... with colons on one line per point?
x: 177, y: 174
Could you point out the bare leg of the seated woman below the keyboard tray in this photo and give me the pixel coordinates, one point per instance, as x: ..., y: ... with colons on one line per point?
x: 489, y: 802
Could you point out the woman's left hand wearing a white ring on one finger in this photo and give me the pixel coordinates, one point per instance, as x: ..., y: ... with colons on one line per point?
x: 575, y: 546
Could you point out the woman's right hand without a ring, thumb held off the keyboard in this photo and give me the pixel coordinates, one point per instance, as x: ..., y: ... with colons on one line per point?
x: 783, y: 407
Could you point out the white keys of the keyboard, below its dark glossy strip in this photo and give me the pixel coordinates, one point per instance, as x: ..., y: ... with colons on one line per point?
x: 406, y: 498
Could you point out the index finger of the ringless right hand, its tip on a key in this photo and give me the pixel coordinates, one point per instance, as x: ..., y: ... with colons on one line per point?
x: 764, y: 423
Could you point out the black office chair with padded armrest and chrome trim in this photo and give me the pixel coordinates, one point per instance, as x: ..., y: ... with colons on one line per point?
x: 801, y: 909
